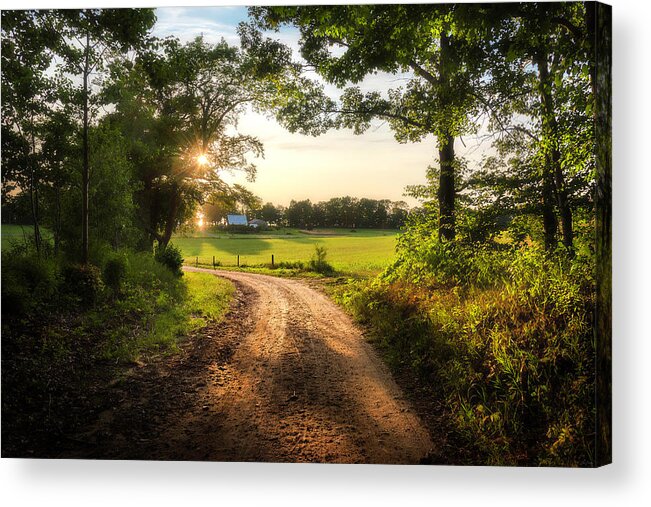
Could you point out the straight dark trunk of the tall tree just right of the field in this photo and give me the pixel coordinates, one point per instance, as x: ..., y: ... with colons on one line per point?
x: 447, y: 191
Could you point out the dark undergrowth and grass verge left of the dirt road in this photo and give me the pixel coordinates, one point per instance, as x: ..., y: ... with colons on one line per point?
x: 68, y: 329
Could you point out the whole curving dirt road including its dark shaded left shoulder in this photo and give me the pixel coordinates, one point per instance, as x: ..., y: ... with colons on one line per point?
x: 287, y: 378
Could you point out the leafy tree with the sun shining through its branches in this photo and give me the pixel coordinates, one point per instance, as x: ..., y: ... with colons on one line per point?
x: 180, y: 104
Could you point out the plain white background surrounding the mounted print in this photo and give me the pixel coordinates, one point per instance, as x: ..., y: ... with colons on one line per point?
x: 626, y: 482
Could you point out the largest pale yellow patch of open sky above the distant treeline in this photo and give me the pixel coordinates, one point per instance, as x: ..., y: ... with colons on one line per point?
x: 335, y: 164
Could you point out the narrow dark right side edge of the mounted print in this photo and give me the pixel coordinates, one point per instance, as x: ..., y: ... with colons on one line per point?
x: 599, y: 30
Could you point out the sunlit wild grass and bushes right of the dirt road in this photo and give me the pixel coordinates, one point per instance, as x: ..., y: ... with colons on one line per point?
x: 505, y: 339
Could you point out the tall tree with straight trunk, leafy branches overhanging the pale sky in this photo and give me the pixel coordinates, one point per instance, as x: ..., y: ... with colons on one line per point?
x: 440, y: 47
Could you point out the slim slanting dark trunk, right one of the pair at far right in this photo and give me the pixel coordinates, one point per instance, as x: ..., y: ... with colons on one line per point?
x: 553, y: 169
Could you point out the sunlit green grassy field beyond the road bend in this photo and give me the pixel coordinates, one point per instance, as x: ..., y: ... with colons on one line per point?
x: 364, y: 252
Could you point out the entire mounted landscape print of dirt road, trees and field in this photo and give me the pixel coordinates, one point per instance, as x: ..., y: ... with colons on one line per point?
x: 410, y: 274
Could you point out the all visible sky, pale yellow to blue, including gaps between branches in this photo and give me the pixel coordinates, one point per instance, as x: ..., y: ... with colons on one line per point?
x: 296, y: 166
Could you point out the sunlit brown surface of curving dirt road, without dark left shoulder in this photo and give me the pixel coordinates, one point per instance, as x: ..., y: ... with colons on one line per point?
x: 302, y: 386
